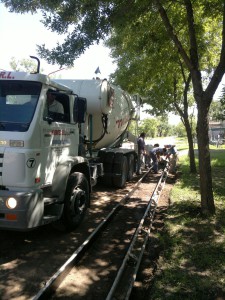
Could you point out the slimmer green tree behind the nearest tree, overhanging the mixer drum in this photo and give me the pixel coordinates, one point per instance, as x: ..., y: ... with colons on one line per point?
x: 156, y: 73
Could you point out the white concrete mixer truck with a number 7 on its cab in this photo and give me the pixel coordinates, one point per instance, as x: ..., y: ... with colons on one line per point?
x: 49, y: 163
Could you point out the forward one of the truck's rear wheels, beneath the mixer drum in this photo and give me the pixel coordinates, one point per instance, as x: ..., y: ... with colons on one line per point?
x: 120, y: 166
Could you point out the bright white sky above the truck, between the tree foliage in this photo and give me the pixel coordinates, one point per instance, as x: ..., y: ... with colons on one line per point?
x: 20, y: 33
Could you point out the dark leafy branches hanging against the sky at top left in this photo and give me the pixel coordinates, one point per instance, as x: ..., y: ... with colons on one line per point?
x: 81, y: 22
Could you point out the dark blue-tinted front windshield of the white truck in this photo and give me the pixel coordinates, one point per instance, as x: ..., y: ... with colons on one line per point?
x: 18, y: 100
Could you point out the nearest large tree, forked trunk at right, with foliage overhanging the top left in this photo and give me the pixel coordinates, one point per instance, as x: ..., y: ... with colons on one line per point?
x: 195, y: 28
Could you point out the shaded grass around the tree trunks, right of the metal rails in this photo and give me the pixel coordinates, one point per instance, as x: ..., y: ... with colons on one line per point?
x: 192, y: 265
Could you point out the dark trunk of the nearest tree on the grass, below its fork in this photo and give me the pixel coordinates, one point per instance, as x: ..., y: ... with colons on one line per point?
x: 207, y: 201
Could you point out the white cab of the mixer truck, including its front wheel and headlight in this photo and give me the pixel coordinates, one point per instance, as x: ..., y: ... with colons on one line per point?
x: 43, y: 178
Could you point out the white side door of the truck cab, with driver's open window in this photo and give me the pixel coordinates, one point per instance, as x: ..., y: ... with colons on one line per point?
x: 57, y: 134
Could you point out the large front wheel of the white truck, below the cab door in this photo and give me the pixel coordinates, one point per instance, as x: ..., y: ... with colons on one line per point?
x: 76, y: 200
